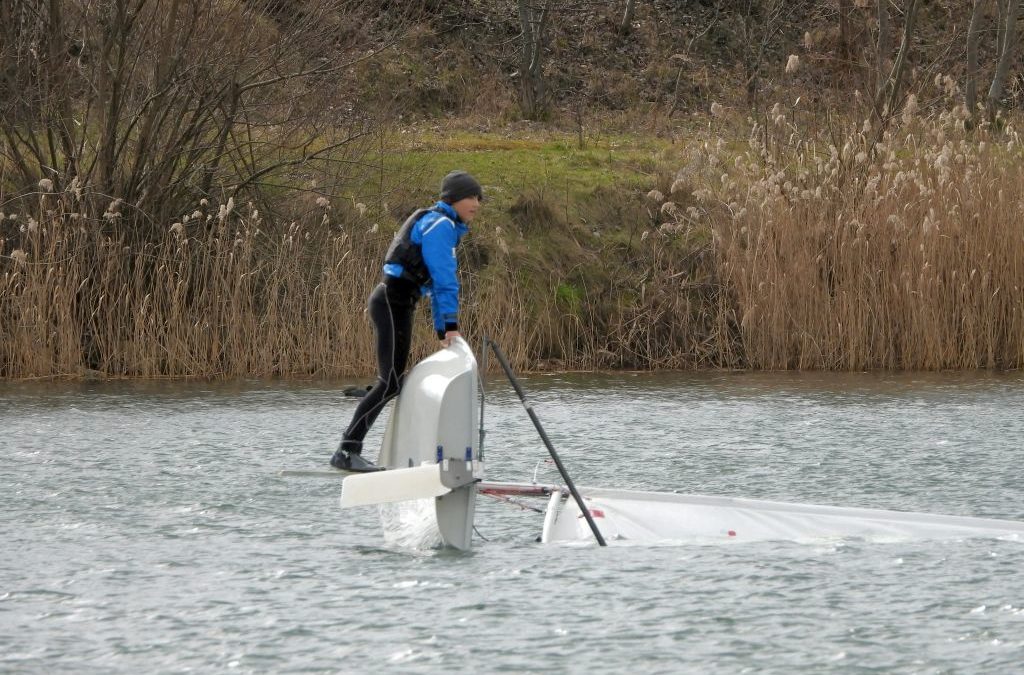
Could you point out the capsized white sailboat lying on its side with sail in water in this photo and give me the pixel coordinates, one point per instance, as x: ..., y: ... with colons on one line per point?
x: 433, y: 450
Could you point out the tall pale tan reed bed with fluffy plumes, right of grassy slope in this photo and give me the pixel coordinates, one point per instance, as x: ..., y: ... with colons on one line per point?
x: 902, y: 250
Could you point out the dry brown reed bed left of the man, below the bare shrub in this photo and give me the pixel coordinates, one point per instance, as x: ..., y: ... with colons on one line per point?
x: 221, y: 294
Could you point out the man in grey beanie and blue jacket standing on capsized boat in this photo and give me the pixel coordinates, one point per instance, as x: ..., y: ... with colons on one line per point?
x: 420, y: 261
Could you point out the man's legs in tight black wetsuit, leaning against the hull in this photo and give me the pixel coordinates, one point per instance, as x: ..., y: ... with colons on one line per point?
x: 392, y: 307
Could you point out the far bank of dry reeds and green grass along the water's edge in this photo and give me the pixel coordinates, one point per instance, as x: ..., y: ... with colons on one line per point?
x: 765, y: 247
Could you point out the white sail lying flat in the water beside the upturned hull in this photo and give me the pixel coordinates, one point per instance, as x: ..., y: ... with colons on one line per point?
x: 666, y: 518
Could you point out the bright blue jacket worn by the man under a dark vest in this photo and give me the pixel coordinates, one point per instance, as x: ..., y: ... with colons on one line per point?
x: 438, y: 233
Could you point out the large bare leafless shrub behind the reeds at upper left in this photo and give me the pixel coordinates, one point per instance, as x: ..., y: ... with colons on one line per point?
x: 162, y: 103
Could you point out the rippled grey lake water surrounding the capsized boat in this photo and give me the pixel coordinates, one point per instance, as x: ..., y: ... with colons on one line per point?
x: 145, y: 529
